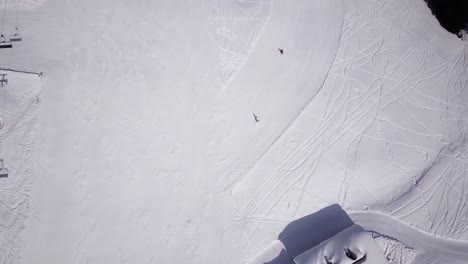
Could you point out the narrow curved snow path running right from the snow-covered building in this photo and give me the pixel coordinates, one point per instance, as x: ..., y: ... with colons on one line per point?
x: 408, y: 235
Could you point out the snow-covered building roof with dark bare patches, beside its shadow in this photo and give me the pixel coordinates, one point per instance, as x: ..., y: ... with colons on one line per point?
x: 354, y: 238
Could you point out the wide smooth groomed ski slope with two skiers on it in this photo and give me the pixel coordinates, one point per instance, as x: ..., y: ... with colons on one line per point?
x: 139, y: 125
